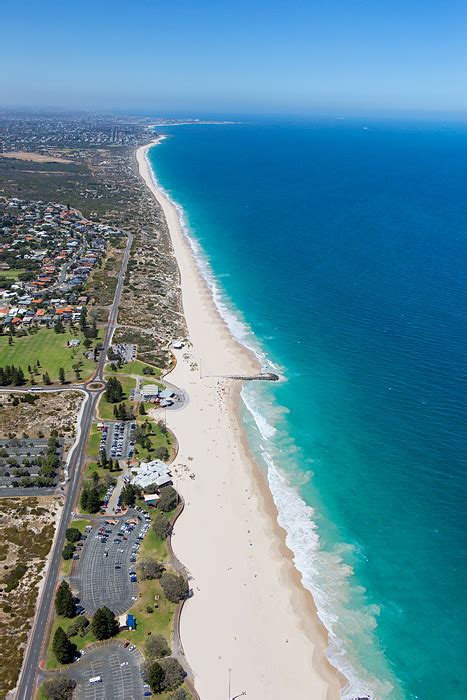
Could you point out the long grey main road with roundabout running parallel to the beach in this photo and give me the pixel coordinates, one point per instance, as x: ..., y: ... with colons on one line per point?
x: 25, y: 688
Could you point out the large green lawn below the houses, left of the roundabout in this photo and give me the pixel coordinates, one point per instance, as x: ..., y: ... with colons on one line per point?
x: 51, y: 350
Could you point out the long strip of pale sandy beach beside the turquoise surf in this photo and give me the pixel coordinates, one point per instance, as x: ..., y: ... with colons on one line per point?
x: 250, y: 619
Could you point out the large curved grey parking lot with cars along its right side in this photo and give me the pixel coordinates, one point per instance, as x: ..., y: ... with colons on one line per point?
x: 106, y: 572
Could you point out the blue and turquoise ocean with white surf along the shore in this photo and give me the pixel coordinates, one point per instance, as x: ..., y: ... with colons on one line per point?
x: 336, y: 249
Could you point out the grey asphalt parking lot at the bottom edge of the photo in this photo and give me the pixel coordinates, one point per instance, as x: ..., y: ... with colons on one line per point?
x: 119, y: 671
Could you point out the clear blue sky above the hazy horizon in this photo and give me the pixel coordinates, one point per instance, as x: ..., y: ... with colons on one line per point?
x: 297, y: 57
